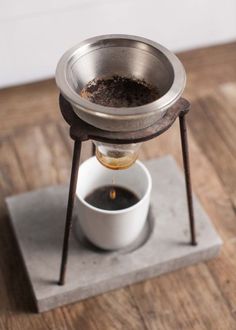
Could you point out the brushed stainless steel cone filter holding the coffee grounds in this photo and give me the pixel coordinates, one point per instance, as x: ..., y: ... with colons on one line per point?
x: 126, y: 56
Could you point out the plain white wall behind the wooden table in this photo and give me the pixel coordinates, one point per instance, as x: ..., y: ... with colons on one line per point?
x: 34, y: 34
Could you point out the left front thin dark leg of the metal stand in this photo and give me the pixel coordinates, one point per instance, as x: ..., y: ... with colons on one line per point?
x: 69, y: 213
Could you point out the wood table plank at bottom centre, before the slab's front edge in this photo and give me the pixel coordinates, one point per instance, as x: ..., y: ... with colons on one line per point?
x: 114, y: 310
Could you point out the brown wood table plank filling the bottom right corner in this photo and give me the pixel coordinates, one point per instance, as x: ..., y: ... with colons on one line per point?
x: 176, y: 301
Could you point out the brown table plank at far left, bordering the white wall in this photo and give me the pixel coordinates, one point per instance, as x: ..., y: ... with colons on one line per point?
x: 28, y: 105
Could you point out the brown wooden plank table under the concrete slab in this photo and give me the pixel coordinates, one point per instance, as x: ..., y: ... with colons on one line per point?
x: 35, y: 151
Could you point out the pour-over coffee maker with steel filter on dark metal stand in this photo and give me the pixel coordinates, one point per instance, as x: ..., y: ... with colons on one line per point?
x: 117, y: 132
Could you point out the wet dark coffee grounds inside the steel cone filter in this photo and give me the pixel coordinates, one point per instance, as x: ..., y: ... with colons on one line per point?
x: 119, y: 92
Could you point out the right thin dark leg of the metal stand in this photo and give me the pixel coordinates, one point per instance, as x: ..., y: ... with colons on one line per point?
x: 184, y: 142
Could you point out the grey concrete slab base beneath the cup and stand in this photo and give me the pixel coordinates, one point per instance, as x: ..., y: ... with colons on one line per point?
x: 38, y: 222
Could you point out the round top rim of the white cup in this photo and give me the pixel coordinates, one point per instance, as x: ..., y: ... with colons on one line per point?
x: 128, y: 209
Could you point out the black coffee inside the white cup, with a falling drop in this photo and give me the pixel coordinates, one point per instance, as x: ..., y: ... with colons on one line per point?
x: 112, y: 198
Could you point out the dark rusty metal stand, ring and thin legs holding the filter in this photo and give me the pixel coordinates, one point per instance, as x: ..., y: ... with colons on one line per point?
x: 81, y: 131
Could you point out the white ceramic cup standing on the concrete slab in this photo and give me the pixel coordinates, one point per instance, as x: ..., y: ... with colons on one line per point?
x: 107, y: 229
